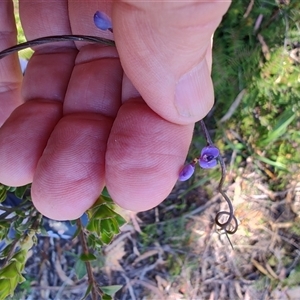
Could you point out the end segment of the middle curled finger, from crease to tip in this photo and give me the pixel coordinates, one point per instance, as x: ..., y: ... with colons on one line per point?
x: 70, y: 174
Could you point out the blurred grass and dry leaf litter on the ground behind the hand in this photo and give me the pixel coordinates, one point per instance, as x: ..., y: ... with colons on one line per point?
x: 174, y: 251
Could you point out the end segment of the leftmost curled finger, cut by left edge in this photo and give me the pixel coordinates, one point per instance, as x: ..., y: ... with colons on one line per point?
x: 23, y: 138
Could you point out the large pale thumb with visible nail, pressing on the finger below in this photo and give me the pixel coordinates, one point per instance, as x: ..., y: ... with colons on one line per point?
x: 165, y: 50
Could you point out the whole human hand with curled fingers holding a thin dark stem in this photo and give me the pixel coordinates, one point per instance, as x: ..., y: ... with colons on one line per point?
x: 84, y: 123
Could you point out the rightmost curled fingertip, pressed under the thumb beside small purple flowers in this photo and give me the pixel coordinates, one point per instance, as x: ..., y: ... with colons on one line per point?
x: 144, y: 156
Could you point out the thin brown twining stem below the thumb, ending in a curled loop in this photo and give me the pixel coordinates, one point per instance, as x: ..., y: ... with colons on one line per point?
x: 230, y: 226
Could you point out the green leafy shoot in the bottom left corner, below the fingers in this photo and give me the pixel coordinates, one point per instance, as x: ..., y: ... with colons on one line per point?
x: 25, y: 223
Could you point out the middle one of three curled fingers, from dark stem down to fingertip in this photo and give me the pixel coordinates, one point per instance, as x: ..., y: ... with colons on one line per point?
x: 70, y: 174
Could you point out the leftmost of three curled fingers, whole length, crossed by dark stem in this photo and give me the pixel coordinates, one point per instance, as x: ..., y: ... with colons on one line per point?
x: 44, y: 88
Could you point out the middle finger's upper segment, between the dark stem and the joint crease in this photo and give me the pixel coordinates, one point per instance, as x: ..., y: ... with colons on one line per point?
x: 95, y: 84
